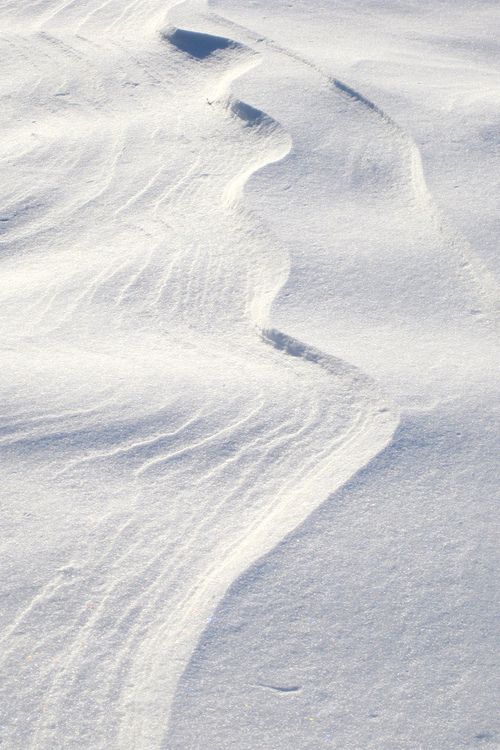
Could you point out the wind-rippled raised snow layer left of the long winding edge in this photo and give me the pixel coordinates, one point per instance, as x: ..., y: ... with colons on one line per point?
x: 159, y: 434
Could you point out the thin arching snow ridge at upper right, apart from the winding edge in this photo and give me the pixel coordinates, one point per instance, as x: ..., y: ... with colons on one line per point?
x: 471, y: 264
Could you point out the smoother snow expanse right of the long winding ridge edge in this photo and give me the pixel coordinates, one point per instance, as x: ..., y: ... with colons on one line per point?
x: 381, y: 606
